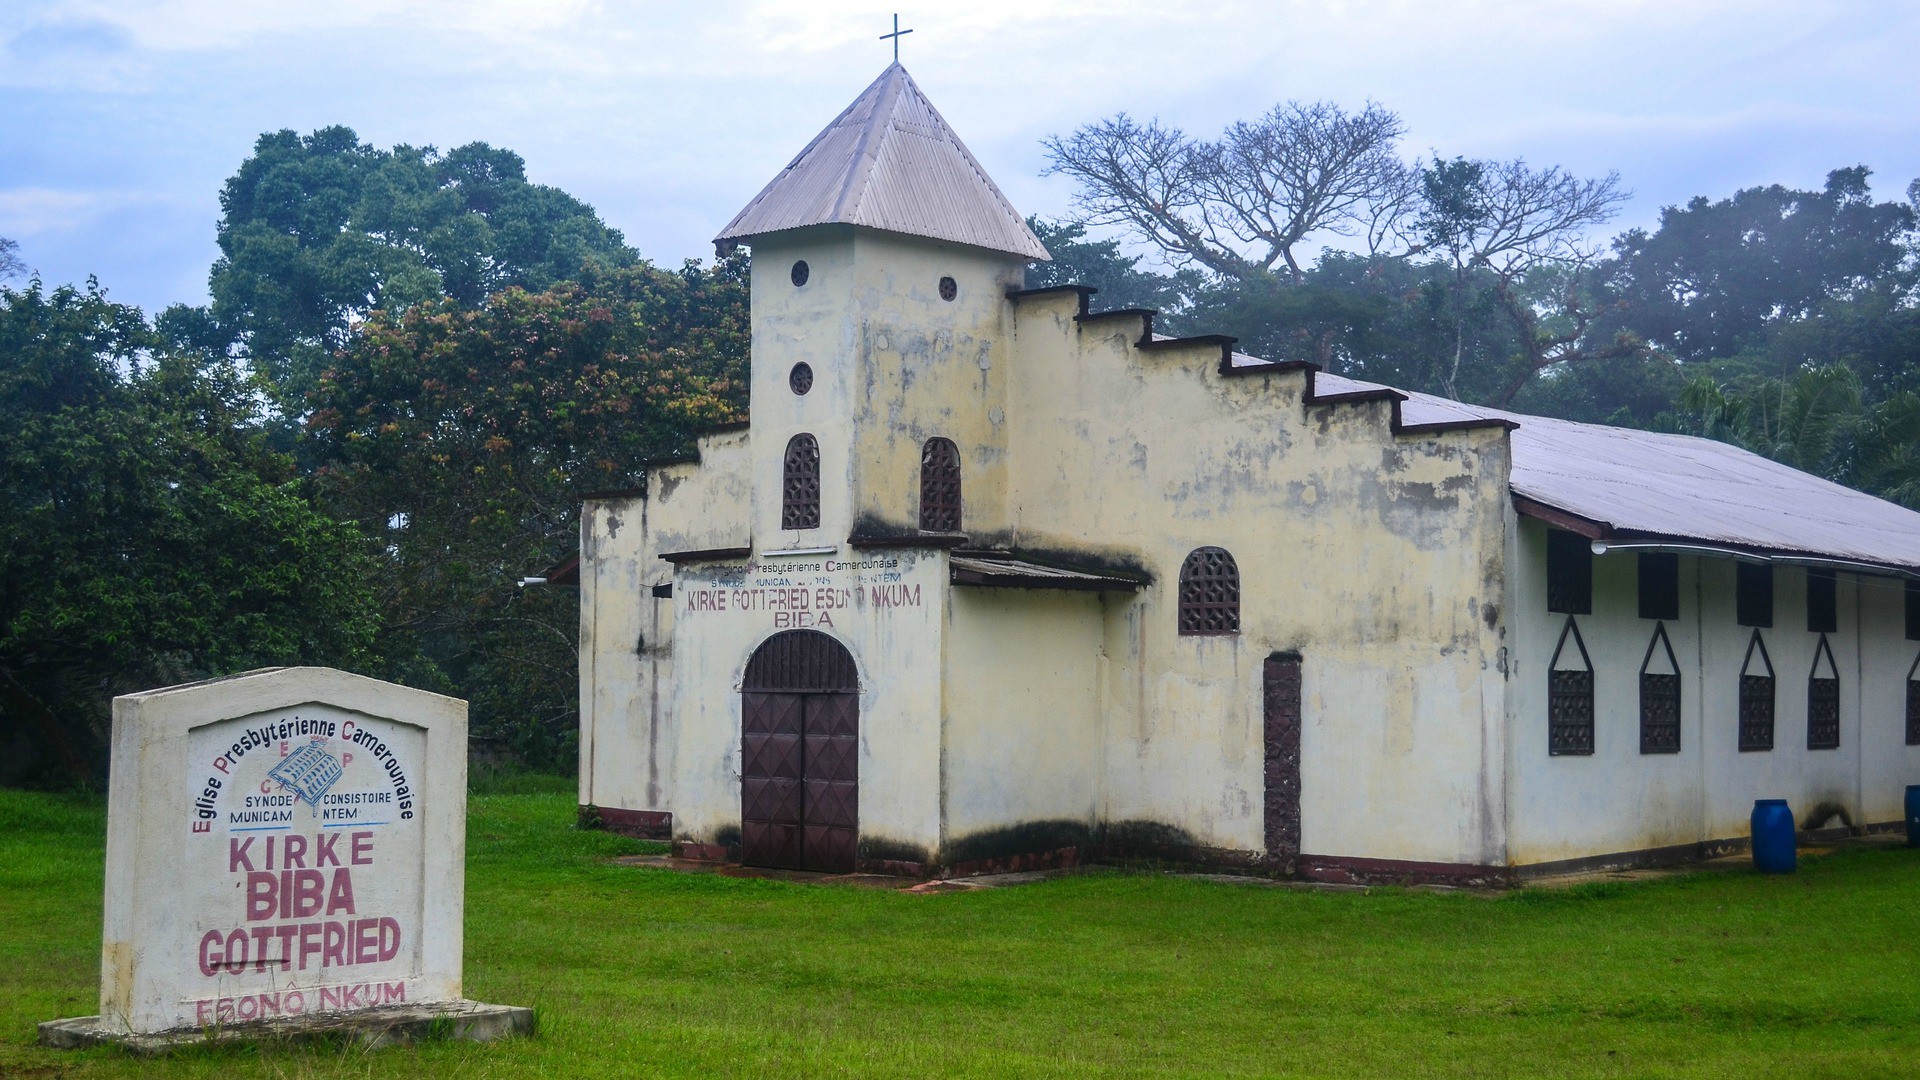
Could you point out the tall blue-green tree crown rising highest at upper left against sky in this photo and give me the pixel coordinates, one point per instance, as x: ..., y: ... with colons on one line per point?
x: 318, y: 232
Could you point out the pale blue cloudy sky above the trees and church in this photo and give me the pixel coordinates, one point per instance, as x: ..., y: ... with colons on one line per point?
x: 124, y: 118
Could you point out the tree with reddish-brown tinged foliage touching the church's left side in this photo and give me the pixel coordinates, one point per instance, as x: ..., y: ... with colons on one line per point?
x: 466, y: 439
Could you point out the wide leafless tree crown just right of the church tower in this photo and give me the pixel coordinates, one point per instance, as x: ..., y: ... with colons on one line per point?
x: 1249, y: 201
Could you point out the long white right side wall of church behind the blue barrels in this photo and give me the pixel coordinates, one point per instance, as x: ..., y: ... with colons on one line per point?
x: 1621, y: 800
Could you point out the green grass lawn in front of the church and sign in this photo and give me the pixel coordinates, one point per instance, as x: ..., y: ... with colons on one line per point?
x: 640, y: 971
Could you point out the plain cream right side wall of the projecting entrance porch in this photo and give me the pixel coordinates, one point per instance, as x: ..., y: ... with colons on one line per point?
x: 1024, y: 722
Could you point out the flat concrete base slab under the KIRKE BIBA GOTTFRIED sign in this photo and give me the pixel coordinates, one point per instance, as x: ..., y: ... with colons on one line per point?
x: 370, y: 1027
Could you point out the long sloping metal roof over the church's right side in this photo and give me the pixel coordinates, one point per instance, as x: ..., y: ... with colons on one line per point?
x: 1641, y: 485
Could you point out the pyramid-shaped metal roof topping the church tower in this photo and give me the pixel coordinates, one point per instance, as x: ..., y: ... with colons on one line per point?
x: 890, y: 162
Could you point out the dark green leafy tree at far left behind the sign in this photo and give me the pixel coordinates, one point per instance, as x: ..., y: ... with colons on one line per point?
x: 147, y: 531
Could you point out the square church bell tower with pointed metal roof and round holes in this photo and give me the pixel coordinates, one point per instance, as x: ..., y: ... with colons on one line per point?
x: 882, y: 258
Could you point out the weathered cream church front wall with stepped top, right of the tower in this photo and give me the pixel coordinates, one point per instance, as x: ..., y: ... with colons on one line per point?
x: 1378, y: 556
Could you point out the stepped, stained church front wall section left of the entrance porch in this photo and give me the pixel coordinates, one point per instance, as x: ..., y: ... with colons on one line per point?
x: 627, y: 658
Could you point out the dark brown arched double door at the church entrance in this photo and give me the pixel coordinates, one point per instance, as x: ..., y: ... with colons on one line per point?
x: 800, y: 750
